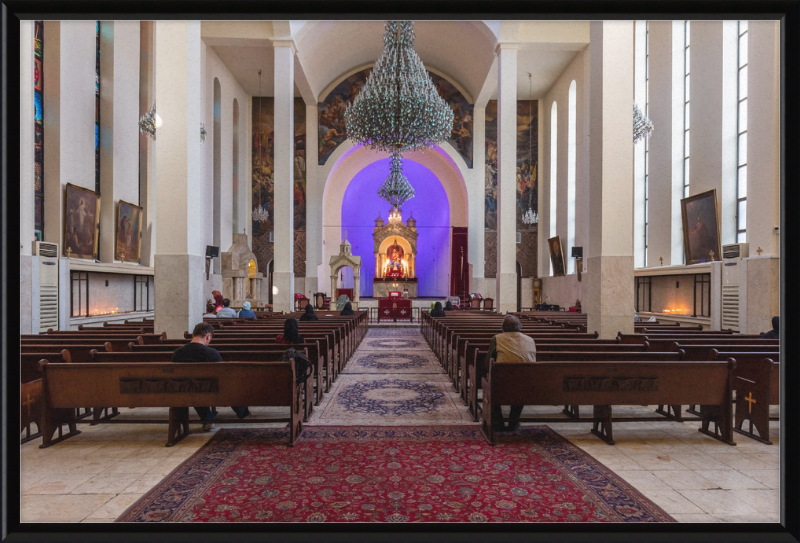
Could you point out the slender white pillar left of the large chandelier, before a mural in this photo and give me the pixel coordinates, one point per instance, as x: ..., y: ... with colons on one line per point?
x: 283, y: 275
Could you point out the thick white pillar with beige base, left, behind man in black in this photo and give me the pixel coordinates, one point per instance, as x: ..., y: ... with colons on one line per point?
x: 179, y: 261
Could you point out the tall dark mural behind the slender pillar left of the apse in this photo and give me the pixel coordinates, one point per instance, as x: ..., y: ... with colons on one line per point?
x: 263, y: 184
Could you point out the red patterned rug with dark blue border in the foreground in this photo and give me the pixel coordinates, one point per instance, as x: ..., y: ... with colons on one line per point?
x: 392, y: 474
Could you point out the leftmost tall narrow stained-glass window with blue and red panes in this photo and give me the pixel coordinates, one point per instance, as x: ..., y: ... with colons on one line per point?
x: 38, y: 128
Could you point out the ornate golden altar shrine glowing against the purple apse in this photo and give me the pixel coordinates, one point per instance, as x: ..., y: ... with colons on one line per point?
x: 395, y: 248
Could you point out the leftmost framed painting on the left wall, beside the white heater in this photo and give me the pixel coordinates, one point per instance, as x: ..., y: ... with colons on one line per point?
x: 81, y: 219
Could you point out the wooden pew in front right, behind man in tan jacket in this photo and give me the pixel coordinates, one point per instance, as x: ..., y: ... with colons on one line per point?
x: 605, y: 384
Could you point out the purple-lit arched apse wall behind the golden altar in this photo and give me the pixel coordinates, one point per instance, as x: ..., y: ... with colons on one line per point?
x: 431, y: 209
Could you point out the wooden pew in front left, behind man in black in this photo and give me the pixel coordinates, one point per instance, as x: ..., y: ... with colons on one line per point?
x: 177, y: 386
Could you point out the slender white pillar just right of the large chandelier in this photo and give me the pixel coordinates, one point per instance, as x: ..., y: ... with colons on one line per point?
x: 506, y: 288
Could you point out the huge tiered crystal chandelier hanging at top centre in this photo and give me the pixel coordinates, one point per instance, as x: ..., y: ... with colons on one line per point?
x: 398, y: 107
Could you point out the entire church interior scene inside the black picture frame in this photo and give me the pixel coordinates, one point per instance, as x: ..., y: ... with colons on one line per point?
x: 462, y: 172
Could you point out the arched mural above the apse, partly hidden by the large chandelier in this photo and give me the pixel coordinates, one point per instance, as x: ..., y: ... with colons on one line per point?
x: 332, y: 130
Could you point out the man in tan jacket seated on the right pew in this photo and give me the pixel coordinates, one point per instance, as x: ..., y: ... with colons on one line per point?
x: 510, y: 347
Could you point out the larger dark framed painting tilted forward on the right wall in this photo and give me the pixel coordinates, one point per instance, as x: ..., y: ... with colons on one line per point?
x: 701, y: 228
